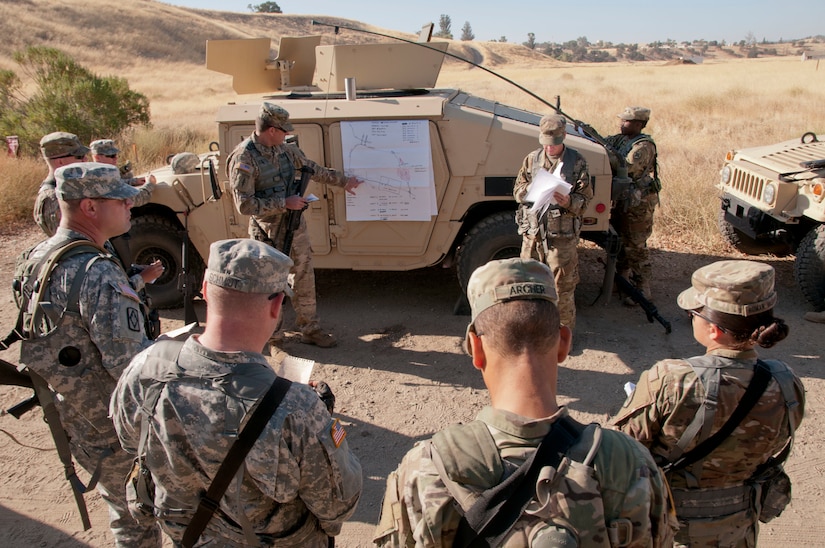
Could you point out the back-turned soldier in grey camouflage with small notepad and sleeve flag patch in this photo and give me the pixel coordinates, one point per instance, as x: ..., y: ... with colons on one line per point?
x: 300, y: 481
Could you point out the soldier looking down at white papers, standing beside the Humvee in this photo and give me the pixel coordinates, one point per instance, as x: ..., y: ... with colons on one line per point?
x: 554, y: 237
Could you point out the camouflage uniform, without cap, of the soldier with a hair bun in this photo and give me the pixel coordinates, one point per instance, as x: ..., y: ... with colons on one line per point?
x: 664, y: 403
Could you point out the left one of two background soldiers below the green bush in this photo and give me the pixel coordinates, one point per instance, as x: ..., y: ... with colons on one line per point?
x: 59, y: 149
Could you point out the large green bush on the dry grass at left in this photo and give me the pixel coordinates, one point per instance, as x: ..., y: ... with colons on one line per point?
x: 65, y: 96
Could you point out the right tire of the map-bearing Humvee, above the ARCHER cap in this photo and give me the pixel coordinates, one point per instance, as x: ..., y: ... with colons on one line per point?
x: 494, y: 237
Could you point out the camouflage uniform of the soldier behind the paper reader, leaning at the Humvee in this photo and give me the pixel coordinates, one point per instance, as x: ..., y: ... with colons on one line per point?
x: 633, y: 217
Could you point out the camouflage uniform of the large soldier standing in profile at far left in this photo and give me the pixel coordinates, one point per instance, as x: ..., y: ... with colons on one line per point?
x: 81, y: 359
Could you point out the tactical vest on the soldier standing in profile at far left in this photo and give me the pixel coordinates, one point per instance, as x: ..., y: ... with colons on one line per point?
x: 56, y: 343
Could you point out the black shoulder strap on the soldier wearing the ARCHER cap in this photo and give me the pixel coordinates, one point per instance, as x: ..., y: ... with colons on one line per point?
x: 489, y: 520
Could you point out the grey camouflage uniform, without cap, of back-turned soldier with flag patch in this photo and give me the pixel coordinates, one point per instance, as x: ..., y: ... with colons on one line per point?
x: 299, y: 480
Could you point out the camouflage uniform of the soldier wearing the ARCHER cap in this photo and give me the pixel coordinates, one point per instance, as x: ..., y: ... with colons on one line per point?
x: 587, y: 500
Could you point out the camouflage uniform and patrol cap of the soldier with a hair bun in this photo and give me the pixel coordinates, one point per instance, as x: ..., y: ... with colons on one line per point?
x: 669, y: 395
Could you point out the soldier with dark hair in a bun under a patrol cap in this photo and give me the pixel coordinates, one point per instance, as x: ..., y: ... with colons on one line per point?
x: 720, y: 496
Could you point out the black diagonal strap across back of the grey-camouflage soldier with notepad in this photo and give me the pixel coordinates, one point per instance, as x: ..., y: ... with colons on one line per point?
x: 237, y: 453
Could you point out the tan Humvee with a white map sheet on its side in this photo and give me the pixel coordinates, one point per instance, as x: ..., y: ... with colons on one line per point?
x: 439, y: 164
